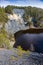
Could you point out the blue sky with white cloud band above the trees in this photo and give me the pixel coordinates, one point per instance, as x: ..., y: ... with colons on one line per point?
x: 33, y: 3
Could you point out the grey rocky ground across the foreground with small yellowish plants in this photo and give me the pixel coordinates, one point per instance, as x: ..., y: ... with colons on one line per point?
x: 11, y: 57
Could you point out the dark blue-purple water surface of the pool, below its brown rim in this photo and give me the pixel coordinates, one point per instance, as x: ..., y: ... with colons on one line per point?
x: 26, y: 40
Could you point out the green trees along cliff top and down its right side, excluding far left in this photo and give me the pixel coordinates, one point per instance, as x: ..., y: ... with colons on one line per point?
x: 33, y: 12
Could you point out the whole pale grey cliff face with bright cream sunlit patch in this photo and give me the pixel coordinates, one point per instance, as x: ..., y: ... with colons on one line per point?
x: 15, y: 22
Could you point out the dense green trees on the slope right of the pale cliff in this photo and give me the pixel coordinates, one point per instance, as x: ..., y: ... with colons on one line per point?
x: 35, y: 13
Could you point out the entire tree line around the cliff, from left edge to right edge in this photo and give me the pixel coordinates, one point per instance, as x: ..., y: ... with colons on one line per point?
x: 35, y: 13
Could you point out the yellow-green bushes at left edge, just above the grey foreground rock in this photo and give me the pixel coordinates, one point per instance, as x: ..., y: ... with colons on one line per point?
x: 4, y: 42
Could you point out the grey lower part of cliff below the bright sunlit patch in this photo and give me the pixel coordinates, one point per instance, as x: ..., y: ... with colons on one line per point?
x: 13, y: 26
